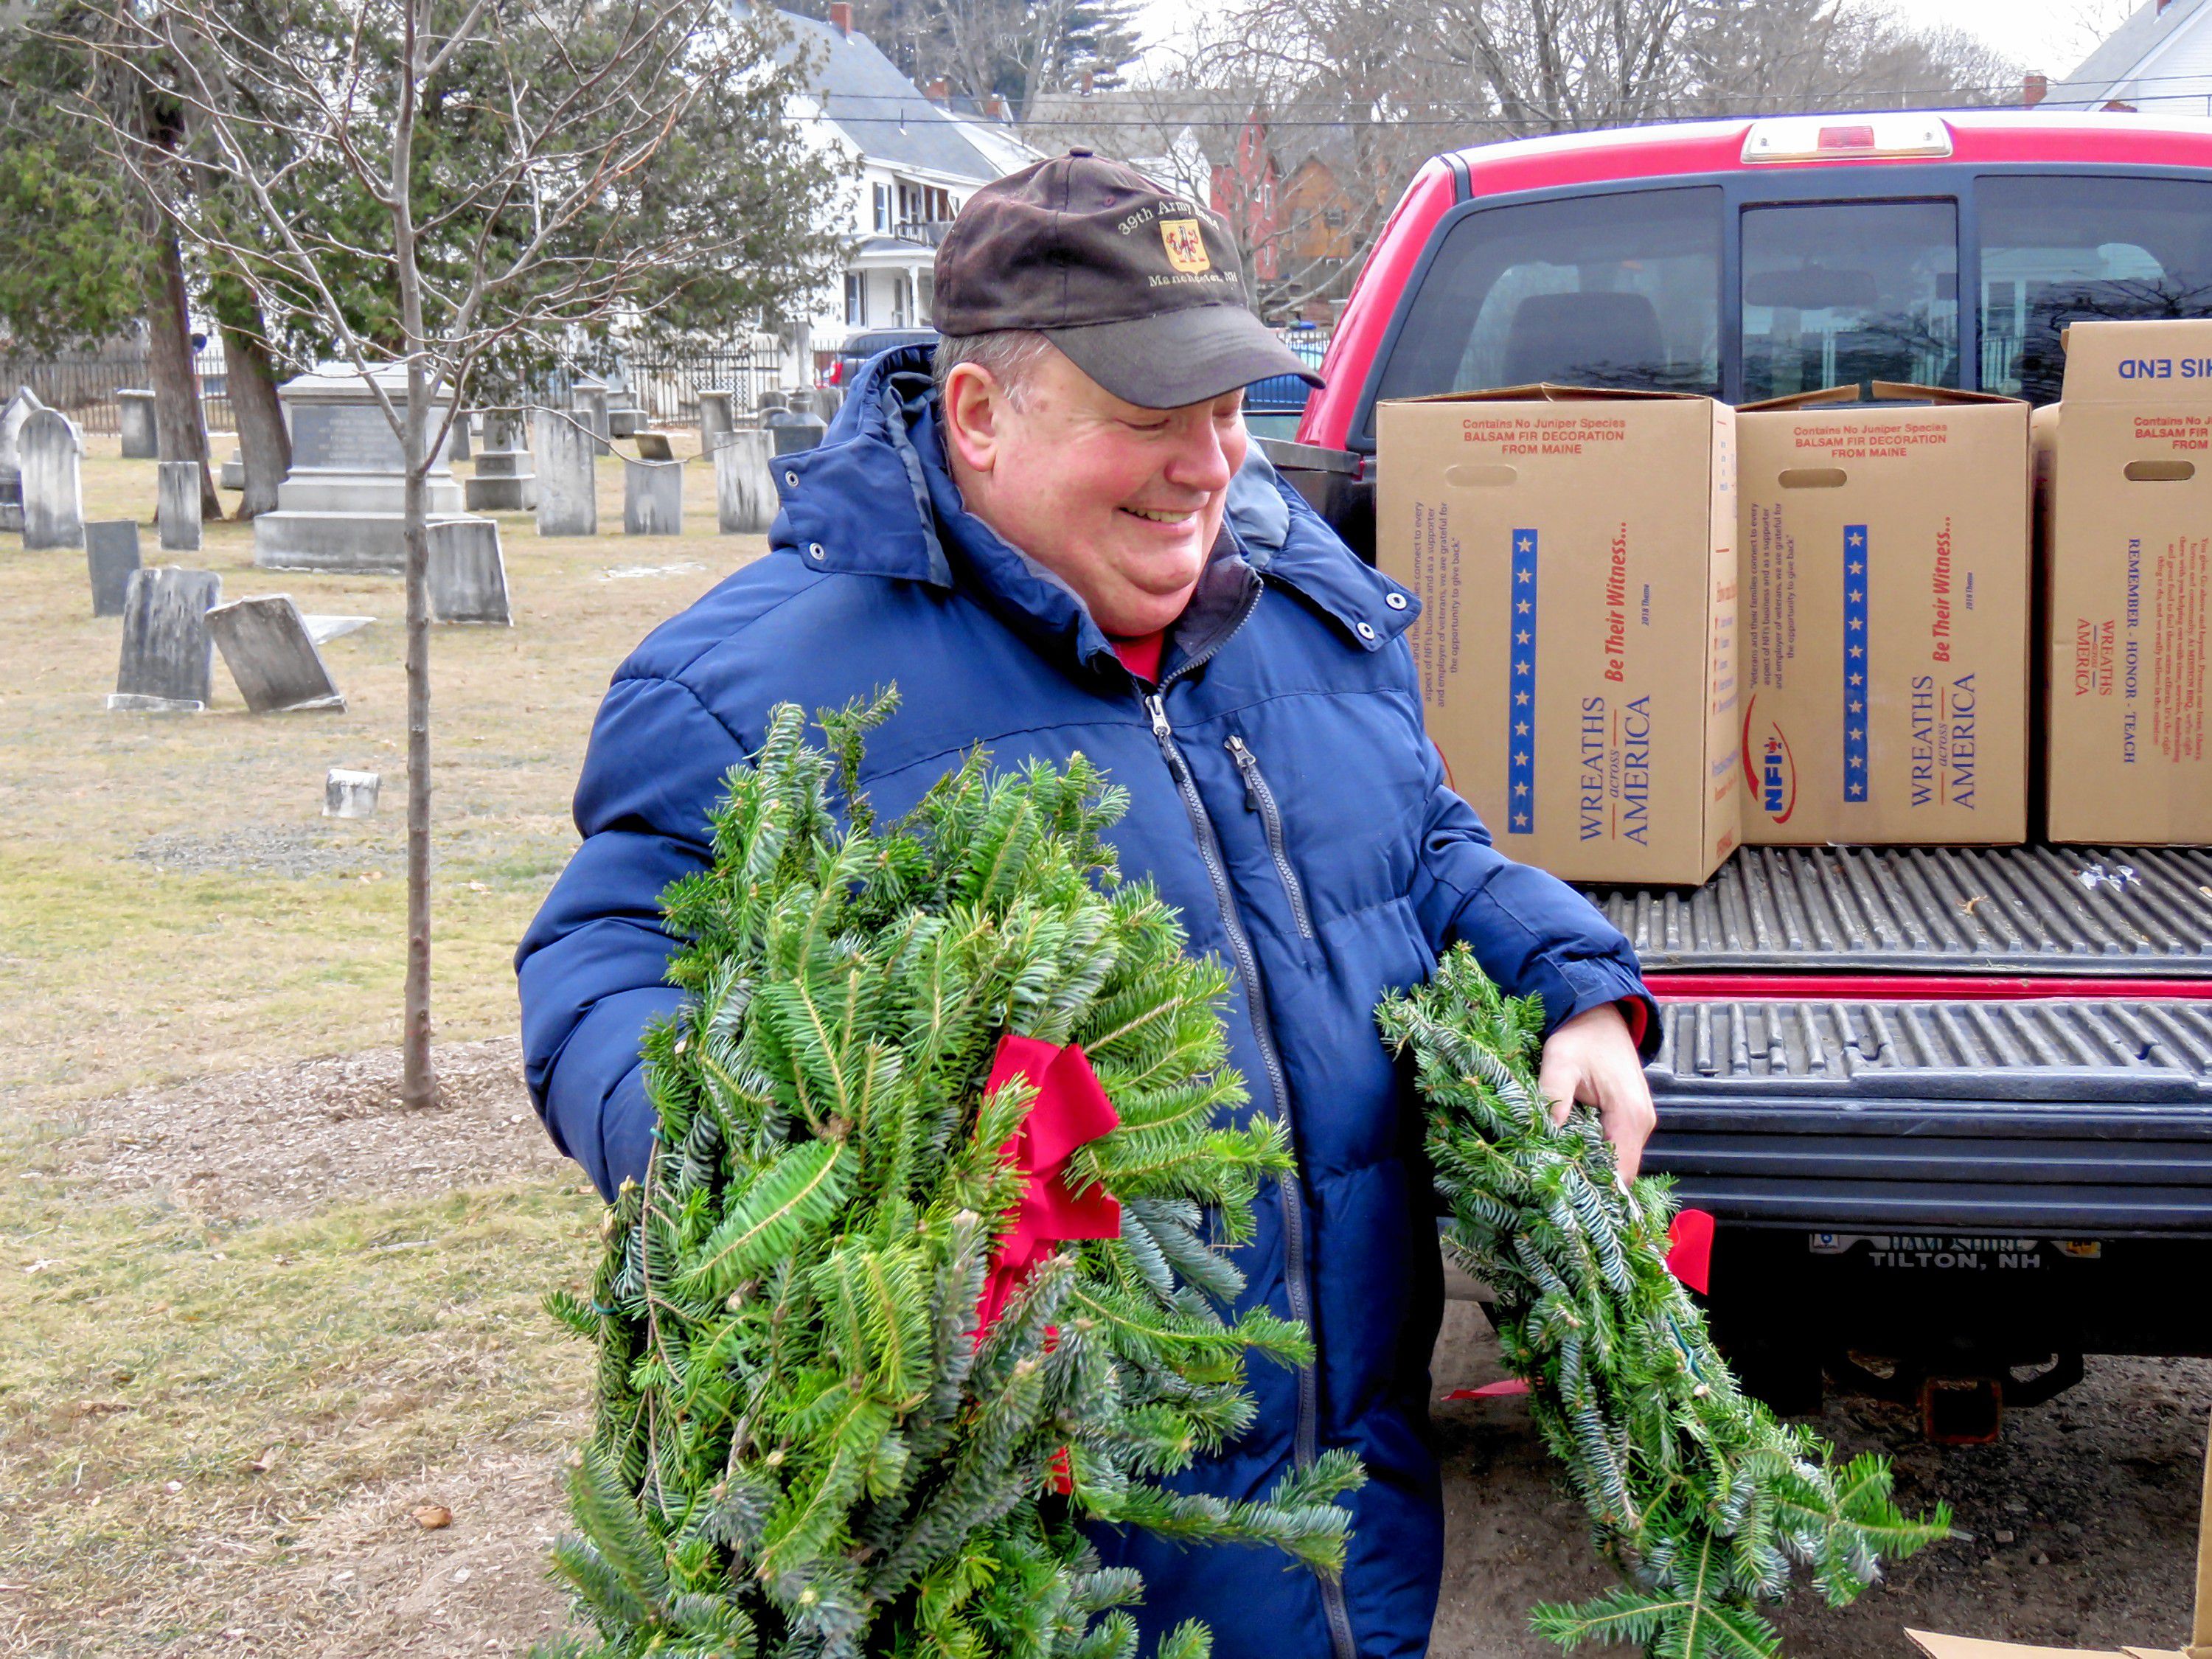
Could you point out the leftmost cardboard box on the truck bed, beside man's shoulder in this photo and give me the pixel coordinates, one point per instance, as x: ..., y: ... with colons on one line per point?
x: 1576, y: 561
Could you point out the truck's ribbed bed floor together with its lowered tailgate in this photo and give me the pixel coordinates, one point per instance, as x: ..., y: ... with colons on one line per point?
x: 1937, y: 1041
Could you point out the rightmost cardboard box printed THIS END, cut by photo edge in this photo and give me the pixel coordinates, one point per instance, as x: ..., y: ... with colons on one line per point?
x: 2129, y: 539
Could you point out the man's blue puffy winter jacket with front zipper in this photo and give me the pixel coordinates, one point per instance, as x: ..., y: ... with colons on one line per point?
x: 1282, y: 795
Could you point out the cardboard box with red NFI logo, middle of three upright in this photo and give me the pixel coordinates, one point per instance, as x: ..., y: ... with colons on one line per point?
x: 1886, y: 616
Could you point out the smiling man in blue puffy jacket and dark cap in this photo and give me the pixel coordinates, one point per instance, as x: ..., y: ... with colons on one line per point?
x: 1058, y: 543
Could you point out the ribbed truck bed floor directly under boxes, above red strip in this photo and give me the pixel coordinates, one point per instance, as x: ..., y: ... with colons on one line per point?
x: 1917, y: 910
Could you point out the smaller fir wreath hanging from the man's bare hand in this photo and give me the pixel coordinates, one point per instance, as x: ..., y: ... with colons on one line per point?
x: 1698, y: 1494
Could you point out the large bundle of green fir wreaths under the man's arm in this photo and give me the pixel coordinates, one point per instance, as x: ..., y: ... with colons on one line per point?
x: 811, y: 1439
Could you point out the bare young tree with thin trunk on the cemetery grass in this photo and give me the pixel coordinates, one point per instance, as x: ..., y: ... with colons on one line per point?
x: 461, y: 187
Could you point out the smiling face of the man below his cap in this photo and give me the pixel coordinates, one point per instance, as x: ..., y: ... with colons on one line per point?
x: 1118, y: 501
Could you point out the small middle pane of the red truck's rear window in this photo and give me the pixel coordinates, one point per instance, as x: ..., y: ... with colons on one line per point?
x: 1848, y: 291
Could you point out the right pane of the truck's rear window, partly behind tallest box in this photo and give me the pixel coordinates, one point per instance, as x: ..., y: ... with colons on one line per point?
x: 2058, y: 251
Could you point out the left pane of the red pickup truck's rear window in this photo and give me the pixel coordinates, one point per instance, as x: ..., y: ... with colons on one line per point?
x: 1614, y: 291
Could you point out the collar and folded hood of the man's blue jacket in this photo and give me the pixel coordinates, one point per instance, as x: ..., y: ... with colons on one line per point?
x: 877, y: 499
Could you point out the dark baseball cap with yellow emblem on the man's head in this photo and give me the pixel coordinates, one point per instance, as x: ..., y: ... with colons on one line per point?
x: 1140, y: 286
